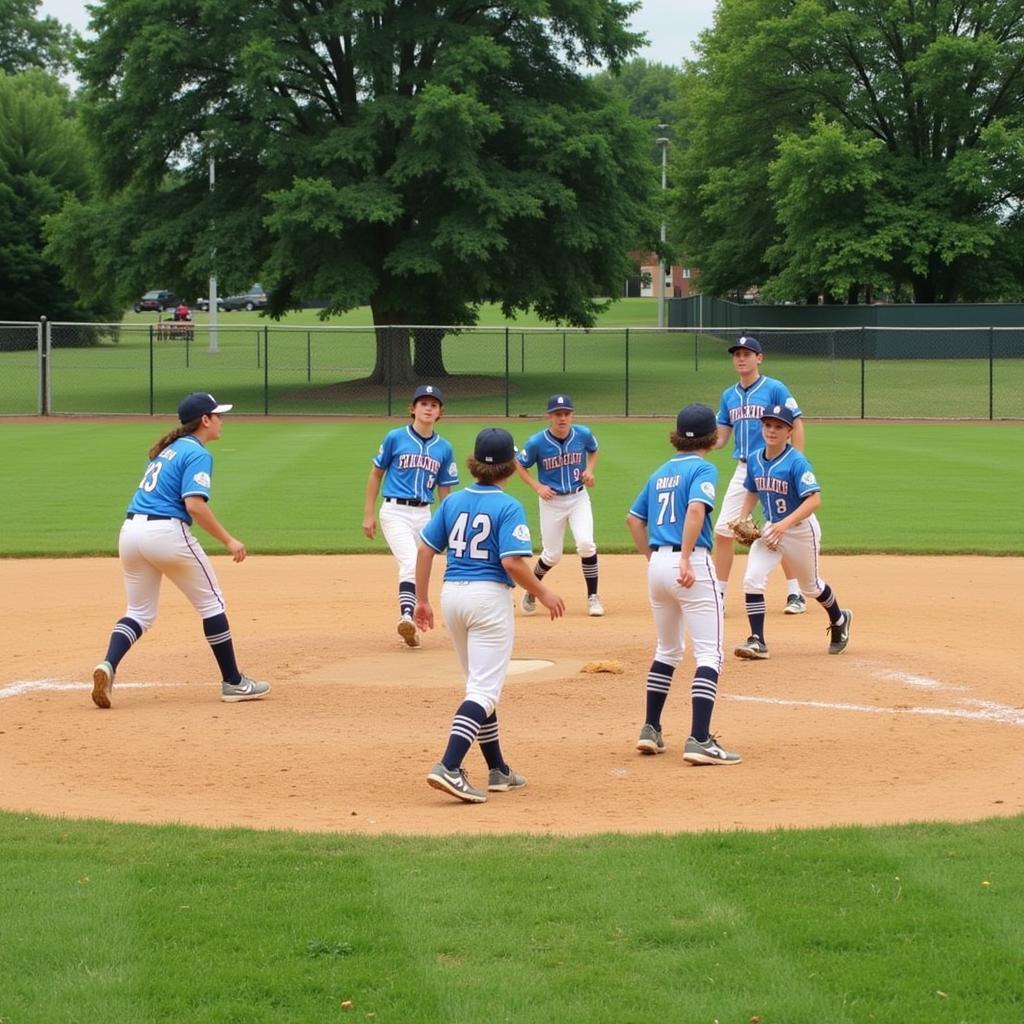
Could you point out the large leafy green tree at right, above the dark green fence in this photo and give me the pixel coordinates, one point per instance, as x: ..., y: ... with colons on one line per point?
x: 844, y: 146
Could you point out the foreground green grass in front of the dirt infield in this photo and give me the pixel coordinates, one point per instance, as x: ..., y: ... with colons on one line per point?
x: 130, y: 925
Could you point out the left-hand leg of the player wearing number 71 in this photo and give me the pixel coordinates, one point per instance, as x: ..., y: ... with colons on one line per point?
x: 662, y: 588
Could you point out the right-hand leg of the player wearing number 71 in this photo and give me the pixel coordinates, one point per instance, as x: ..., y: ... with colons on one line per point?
x: 702, y: 606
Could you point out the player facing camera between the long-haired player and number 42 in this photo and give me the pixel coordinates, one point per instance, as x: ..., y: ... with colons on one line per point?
x: 412, y: 462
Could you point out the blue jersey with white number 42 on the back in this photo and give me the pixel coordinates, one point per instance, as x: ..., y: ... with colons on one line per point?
x: 479, y: 527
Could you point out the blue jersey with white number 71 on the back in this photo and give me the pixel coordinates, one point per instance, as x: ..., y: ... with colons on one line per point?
x: 663, y: 503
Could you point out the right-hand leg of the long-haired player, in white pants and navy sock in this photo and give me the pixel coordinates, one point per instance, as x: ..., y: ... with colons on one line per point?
x: 185, y: 563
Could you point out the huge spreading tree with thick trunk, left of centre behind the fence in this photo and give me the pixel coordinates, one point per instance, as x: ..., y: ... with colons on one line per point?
x: 415, y: 158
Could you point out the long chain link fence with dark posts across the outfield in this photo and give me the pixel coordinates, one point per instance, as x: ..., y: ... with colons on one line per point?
x: 271, y: 369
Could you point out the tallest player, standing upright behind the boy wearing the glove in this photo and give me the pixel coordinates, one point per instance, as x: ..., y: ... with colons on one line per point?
x: 740, y: 414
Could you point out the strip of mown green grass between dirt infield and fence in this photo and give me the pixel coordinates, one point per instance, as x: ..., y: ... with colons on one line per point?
x: 298, y: 486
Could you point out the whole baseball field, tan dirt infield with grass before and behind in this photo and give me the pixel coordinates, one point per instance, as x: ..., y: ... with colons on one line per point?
x: 181, y: 860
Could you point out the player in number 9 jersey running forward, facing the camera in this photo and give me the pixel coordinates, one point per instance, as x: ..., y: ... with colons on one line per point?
x: 566, y: 455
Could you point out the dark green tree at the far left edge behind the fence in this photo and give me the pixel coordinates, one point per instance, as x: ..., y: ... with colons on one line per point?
x: 41, y: 150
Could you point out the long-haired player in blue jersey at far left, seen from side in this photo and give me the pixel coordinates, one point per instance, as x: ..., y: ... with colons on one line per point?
x: 156, y: 541
